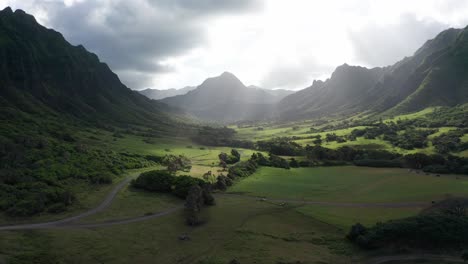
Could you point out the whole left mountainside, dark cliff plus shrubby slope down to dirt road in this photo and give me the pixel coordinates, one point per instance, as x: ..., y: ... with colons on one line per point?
x: 56, y: 100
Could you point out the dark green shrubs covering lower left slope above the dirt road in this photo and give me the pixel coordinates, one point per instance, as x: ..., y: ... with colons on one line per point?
x: 39, y: 158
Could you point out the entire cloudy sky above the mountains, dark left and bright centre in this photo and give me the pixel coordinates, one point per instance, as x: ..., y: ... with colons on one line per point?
x: 271, y: 43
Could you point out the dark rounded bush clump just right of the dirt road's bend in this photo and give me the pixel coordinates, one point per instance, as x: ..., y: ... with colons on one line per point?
x: 154, y: 181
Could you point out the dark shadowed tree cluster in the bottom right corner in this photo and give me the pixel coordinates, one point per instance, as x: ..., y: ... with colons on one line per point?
x: 437, y: 229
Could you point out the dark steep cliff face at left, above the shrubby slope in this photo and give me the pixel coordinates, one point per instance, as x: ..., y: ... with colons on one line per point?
x: 41, y: 72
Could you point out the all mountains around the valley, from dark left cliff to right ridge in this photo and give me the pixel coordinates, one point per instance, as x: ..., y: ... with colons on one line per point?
x: 43, y: 74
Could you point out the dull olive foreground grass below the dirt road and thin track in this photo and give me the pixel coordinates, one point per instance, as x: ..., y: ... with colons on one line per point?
x: 250, y: 232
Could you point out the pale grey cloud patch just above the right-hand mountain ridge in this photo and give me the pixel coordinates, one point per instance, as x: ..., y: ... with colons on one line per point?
x: 384, y: 45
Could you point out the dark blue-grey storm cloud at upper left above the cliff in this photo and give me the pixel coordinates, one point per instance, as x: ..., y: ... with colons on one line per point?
x: 135, y: 36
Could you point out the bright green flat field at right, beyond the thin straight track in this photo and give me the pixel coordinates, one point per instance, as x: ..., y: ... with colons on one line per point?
x: 351, y: 184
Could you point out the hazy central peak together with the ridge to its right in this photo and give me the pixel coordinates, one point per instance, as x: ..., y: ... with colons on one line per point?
x: 436, y: 75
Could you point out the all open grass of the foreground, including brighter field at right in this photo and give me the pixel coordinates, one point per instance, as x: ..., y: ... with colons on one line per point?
x: 279, y: 229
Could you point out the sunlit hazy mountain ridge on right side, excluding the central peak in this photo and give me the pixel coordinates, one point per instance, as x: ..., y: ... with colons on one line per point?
x: 434, y: 76
